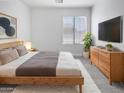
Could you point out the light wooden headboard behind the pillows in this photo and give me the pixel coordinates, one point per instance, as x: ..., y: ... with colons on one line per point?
x: 10, y: 44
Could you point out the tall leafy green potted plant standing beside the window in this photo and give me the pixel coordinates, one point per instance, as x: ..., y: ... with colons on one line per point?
x: 87, y: 41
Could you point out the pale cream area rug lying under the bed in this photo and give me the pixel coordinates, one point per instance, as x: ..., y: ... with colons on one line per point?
x: 89, y: 86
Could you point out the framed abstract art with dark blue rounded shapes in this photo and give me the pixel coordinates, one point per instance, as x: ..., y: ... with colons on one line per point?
x: 8, y: 26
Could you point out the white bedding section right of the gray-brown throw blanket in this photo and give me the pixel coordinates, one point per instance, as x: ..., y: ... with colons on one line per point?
x: 67, y: 65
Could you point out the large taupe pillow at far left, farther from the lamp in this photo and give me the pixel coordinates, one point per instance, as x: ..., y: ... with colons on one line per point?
x: 8, y: 55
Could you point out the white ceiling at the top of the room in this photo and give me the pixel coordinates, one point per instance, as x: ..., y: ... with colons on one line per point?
x: 66, y: 3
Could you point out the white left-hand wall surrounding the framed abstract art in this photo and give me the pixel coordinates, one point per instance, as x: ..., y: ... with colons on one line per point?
x: 22, y: 12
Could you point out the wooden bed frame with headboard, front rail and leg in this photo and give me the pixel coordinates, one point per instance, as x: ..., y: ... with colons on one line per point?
x: 58, y: 80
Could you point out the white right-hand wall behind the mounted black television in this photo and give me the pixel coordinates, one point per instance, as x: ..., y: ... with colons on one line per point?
x: 104, y: 10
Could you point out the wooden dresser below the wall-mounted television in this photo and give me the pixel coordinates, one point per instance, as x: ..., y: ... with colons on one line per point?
x: 111, y: 63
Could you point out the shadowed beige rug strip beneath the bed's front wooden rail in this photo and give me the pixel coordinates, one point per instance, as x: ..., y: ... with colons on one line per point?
x: 45, y: 89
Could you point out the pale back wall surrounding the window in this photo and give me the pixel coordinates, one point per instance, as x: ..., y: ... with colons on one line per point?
x: 47, y: 28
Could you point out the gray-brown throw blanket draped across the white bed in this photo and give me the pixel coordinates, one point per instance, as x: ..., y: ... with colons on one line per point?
x: 41, y: 64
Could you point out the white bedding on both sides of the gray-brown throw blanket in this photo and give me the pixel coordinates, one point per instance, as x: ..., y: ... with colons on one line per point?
x: 66, y: 66
